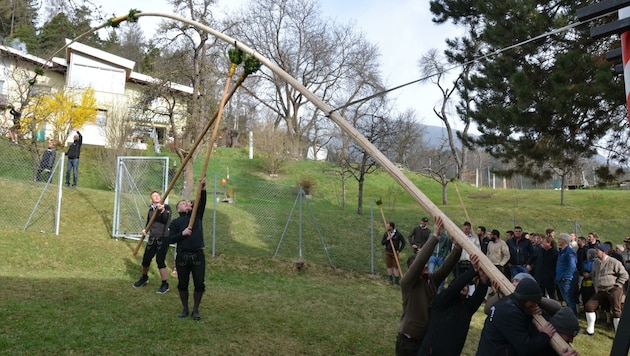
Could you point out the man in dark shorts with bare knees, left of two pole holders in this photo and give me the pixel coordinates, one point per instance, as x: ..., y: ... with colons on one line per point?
x: 157, y: 244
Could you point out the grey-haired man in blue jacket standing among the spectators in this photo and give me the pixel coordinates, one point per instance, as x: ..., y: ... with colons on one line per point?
x: 566, y: 269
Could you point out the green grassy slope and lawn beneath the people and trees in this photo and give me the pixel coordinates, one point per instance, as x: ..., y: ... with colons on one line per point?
x: 72, y: 293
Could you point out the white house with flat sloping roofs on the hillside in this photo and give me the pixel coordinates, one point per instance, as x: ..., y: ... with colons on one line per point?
x: 112, y: 78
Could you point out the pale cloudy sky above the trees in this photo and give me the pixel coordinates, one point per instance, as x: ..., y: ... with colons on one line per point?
x: 401, y: 28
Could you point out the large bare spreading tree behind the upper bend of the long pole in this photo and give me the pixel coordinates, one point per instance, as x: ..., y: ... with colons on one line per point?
x: 323, y: 55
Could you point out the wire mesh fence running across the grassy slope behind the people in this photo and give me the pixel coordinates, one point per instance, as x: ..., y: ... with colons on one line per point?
x: 251, y: 216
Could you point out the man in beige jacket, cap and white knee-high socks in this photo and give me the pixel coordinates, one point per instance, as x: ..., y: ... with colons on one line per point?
x: 609, y: 276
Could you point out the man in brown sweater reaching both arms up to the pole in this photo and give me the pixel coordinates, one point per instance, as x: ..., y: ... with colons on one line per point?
x: 418, y: 289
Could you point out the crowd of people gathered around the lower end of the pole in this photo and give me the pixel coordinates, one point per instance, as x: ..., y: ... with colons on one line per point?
x: 563, y: 278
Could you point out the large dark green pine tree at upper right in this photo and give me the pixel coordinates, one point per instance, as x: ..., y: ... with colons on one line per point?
x: 543, y: 105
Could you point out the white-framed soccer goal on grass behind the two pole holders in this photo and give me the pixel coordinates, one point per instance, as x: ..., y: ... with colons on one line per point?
x: 136, y: 178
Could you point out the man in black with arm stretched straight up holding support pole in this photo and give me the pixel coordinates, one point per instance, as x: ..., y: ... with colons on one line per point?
x: 190, y: 256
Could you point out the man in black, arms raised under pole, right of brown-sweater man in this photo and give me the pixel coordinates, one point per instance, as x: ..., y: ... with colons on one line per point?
x: 452, y: 310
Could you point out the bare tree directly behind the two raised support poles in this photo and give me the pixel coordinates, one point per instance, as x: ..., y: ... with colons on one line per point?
x: 188, y: 60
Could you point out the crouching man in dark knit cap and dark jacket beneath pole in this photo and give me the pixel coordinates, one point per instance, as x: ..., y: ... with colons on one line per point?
x: 507, y: 329
